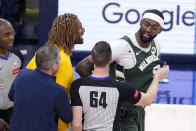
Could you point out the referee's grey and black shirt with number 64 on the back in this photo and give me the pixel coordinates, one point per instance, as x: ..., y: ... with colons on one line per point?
x: 100, y: 99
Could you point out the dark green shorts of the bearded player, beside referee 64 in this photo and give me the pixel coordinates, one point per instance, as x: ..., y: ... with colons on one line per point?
x: 133, y: 119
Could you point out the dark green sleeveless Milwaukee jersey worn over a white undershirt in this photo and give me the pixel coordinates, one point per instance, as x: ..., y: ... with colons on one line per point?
x: 141, y: 74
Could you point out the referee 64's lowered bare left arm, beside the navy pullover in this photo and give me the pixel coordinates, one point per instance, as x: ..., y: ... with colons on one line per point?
x: 77, y: 118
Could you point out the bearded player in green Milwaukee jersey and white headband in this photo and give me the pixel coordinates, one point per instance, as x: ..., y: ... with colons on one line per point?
x: 138, y: 54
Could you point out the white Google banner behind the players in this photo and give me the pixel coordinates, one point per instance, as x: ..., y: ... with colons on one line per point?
x: 111, y: 19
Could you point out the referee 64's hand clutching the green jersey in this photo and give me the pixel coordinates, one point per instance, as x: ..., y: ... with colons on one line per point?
x: 162, y: 72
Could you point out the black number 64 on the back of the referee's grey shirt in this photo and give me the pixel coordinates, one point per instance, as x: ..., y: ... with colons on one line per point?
x: 95, y: 101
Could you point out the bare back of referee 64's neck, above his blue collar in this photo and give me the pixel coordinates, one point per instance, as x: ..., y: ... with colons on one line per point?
x: 100, y: 72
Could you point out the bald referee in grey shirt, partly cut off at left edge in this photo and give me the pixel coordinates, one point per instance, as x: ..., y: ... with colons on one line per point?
x: 11, y: 61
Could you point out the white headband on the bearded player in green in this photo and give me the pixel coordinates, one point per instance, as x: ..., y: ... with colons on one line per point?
x: 154, y: 17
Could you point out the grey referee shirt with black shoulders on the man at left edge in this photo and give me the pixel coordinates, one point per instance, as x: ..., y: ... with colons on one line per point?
x: 9, y: 68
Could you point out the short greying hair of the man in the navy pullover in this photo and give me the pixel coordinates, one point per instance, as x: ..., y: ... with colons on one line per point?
x: 46, y: 56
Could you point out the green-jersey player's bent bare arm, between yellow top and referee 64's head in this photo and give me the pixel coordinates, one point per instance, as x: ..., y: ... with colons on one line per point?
x: 84, y: 67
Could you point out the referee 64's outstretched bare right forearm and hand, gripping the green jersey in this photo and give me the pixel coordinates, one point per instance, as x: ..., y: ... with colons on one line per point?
x: 148, y: 97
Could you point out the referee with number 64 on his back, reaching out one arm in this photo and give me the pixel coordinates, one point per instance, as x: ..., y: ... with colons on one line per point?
x: 96, y: 99
